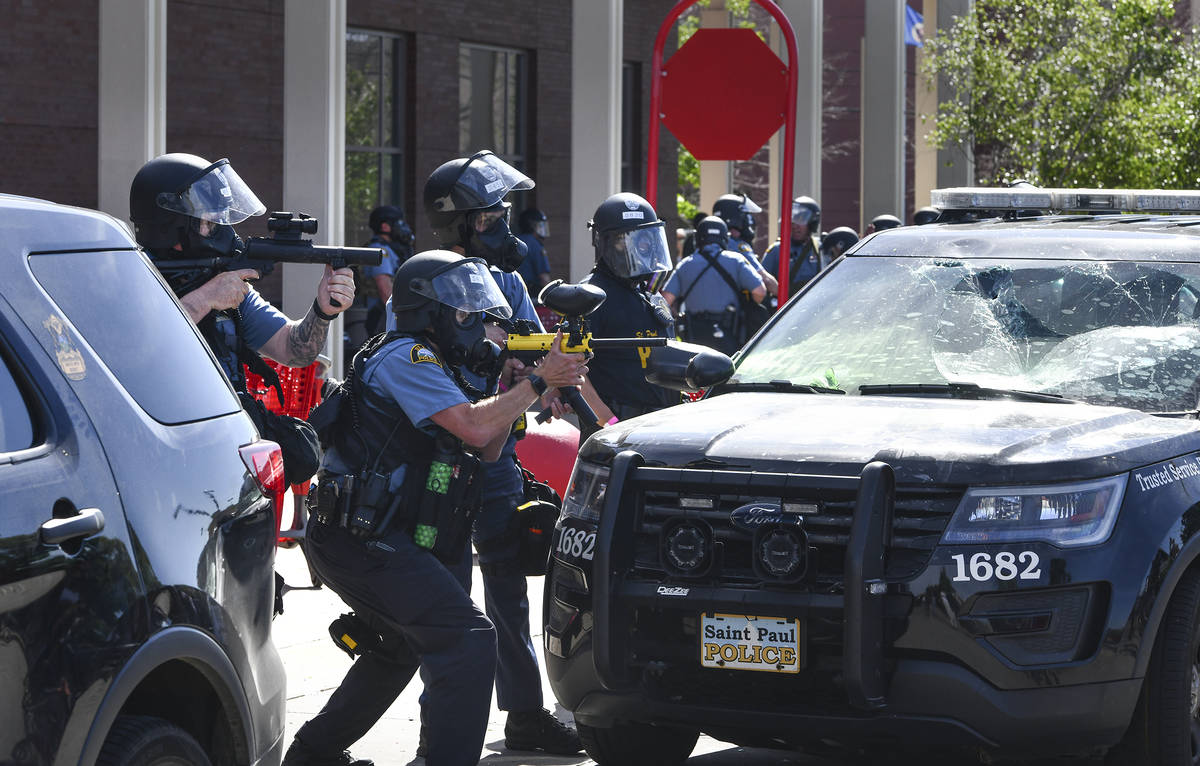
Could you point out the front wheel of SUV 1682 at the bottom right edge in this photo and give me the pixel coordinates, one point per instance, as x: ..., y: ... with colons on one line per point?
x: 1166, y: 728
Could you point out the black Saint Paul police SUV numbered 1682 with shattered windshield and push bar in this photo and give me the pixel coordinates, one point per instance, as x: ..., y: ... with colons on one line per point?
x: 951, y: 496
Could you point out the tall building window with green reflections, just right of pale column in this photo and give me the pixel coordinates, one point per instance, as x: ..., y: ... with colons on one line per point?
x: 375, y: 128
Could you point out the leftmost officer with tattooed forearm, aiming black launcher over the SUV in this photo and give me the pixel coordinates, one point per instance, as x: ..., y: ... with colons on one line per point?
x: 184, y: 207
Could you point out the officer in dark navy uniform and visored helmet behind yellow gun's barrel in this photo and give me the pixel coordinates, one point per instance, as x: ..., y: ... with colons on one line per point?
x: 633, y: 259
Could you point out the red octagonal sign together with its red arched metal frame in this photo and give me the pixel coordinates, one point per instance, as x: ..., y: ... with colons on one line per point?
x: 724, y: 62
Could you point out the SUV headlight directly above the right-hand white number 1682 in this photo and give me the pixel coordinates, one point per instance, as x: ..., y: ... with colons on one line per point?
x: 1061, y: 514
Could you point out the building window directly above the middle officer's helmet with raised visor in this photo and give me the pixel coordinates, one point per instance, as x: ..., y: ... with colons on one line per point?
x: 494, y: 88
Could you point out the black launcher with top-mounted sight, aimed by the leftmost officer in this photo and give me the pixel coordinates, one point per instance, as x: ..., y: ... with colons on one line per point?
x: 263, y: 253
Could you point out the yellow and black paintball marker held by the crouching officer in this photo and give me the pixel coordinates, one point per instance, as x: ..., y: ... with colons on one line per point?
x: 574, y: 303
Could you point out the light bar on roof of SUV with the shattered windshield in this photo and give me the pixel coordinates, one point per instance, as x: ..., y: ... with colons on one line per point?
x: 1066, y: 200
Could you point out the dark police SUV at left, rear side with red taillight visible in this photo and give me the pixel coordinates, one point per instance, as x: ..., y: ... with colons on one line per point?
x: 137, y: 516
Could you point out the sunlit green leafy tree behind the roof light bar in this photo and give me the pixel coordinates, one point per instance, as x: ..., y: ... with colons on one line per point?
x: 1072, y: 93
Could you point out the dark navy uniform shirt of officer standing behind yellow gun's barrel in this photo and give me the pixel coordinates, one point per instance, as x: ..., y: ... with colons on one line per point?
x: 620, y: 374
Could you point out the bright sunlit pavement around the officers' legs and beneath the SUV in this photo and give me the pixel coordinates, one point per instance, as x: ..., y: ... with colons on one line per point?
x: 316, y: 667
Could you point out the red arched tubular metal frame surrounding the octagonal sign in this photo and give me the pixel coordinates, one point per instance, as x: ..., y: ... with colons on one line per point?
x: 652, y: 172
